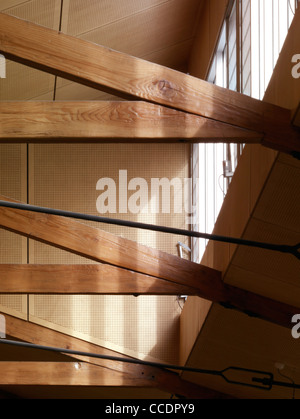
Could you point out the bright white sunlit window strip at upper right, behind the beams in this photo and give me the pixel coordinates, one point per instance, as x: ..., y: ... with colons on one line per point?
x: 250, y: 41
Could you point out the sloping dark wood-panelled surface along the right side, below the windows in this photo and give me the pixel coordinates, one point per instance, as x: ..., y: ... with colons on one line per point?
x: 263, y: 203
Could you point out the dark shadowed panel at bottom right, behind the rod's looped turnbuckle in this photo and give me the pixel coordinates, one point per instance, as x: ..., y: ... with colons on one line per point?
x: 232, y: 339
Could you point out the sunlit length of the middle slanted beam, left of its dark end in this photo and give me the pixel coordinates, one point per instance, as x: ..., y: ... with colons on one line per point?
x: 101, y: 246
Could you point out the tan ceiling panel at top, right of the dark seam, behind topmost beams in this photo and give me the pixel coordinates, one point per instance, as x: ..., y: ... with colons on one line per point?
x: 155, y: 30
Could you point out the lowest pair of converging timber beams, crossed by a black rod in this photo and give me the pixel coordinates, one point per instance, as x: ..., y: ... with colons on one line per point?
x: 89, y: 371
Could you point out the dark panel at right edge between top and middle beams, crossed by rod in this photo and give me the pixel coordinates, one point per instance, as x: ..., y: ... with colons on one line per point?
x: 275, y: 220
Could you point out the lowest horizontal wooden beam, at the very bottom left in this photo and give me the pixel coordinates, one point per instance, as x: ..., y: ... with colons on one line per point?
x: 82, y: 374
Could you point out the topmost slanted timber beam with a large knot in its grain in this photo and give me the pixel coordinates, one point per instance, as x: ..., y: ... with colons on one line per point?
x: 107, y: 70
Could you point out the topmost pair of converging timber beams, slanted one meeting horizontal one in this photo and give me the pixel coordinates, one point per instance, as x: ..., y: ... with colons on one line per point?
x: 170, y: 106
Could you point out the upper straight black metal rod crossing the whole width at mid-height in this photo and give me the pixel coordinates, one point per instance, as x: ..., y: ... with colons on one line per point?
x: 294, y: 250
